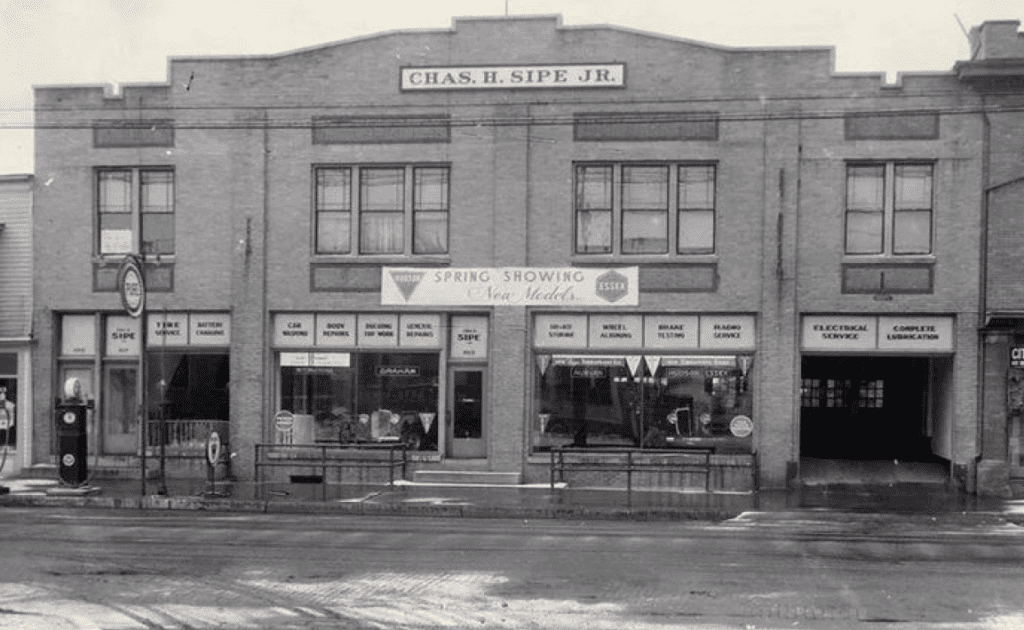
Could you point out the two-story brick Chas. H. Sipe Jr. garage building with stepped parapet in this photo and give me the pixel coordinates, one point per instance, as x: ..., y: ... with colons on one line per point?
x: 522, y: 235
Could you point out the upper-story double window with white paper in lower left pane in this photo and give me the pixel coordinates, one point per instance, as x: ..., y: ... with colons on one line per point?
x: 136, y: 212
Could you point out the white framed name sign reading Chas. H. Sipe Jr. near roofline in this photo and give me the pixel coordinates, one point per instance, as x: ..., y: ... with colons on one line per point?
x: 514, y: 77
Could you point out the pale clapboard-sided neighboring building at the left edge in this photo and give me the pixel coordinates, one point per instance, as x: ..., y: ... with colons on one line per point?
x: 16, y: 322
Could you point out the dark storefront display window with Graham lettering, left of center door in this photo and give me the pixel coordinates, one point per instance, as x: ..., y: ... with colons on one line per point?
x: 374, y: 398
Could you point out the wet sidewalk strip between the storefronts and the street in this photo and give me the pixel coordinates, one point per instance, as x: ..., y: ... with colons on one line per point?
x: 529, y: 501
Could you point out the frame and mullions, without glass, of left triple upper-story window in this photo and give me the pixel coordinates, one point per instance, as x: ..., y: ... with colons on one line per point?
x: 357, y: 203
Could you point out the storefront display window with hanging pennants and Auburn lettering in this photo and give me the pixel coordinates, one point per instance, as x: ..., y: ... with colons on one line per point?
x: 608, y: 406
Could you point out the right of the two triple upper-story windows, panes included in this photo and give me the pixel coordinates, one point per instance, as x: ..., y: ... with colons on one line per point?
x: 646, y: 209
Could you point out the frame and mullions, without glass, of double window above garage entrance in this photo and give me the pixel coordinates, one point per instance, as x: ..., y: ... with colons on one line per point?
x: 889, y: 212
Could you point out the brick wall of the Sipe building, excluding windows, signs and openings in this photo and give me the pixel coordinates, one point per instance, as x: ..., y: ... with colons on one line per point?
x: 244, y: 158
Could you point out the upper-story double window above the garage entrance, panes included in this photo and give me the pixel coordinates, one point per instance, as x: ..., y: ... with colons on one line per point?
x: 889, y: 208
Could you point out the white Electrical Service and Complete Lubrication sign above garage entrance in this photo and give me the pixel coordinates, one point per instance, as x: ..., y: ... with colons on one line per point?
x: 879, y: 333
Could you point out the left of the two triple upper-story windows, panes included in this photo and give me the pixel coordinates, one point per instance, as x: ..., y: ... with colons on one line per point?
x: 376, y: 216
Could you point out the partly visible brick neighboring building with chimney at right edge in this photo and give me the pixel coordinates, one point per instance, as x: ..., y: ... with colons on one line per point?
x: 996, y: 71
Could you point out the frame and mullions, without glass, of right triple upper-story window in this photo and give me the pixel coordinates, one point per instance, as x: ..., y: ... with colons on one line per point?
x: 618, y: 214
